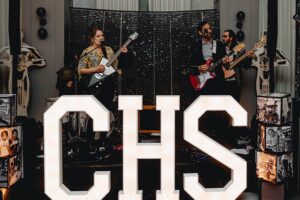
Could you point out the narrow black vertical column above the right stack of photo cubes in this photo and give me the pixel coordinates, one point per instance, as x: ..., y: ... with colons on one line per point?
x: 272, y: 37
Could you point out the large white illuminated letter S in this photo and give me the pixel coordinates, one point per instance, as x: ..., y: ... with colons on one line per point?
x: 238, y: 166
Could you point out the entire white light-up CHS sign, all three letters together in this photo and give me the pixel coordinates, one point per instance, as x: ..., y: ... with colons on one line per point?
x: 133, y: 150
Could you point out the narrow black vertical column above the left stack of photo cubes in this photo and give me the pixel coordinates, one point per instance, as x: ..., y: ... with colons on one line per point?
x: 14, y: 37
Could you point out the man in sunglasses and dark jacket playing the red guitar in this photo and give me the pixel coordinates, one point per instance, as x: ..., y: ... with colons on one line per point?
x: 202, y: 51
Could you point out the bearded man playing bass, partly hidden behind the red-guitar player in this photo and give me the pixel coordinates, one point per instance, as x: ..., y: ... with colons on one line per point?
x: 232, y: 84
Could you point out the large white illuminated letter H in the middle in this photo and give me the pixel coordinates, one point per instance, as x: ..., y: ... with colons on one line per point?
x: 132, y: 150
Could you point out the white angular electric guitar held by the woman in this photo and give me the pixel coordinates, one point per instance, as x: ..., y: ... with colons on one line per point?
x: 96, y: 78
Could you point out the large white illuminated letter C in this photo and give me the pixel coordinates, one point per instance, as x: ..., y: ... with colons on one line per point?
x: 54, y: 187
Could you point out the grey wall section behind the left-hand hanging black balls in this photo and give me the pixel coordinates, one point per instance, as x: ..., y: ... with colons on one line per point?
x: 52, y: 49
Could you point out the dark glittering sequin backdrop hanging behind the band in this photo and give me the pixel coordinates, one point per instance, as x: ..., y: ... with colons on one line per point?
x: 159, y: 52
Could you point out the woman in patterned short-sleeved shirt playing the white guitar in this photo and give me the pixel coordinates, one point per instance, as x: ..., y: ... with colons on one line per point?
x: 90, y: 64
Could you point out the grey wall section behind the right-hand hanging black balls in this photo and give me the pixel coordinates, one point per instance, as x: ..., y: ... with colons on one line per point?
x: 228, y: 10
